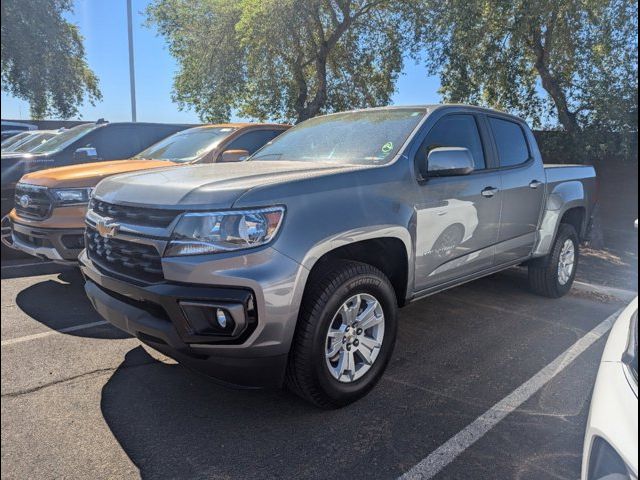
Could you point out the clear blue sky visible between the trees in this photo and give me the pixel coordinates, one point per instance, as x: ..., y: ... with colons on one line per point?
x: 104, y: 27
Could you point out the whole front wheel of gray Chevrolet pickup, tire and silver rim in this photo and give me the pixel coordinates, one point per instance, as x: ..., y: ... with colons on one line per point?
x: 345, y: 335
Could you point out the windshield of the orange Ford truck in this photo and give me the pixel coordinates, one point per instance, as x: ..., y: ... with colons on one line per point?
x: 187, y: 145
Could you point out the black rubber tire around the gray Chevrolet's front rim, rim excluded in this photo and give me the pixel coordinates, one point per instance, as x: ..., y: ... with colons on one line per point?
x: 307, y: 373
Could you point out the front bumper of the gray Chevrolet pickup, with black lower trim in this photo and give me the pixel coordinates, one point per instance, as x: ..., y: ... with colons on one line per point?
x: 256, y: 358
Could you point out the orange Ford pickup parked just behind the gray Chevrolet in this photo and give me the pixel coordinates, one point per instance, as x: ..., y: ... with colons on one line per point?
x: 50, y: 205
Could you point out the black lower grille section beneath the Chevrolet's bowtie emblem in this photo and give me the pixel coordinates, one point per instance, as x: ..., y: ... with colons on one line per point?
x: 131, y: 259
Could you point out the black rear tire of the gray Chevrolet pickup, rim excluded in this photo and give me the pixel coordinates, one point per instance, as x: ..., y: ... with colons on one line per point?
x: 543, y: 272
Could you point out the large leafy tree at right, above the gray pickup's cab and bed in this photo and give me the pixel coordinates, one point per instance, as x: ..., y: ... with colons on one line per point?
x: 582, y: 53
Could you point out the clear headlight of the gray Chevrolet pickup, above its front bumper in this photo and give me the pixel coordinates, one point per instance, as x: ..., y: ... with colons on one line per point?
x: 212, y: 232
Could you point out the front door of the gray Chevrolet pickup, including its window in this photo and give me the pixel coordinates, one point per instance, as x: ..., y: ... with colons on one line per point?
x: 458, y: 217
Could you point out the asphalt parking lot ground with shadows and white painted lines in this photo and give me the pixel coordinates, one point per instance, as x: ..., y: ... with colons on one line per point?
x: 462, y: 397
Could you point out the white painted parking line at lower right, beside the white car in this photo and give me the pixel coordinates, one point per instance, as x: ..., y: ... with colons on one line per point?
x: 452, y: 448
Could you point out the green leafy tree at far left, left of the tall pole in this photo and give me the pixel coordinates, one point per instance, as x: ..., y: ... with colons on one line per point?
x: 43, y: 58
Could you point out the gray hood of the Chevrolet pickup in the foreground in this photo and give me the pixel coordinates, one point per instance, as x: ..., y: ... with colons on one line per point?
x: 207, y: 186
